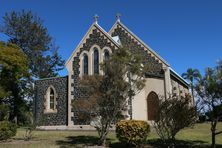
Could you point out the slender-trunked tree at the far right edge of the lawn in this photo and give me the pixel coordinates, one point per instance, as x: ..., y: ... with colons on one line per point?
x: 209, y: 90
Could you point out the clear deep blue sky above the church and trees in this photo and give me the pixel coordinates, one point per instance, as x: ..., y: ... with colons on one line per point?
x: 186, y: 33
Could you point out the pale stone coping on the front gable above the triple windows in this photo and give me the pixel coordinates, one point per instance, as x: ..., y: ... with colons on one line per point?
x: 95, y: 25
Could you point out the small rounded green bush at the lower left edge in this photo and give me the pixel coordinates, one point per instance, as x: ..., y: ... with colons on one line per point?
x: 7, y: 130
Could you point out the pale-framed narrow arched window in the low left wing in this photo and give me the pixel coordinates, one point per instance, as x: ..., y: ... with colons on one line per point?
x: 50, y: 100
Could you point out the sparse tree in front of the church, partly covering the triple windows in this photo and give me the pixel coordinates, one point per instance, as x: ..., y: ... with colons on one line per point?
x: 108, y: 93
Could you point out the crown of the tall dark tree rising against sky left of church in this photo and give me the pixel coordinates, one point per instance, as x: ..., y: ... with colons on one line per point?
x: 27, y: 31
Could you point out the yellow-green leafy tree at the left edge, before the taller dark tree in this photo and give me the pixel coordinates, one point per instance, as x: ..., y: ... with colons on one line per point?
x: 14, y: 69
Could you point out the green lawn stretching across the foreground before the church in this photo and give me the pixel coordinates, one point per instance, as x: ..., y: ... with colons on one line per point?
x: 198, y: 136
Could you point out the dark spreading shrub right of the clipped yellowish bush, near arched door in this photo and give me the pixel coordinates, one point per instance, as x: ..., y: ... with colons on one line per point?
x: 174, y: 114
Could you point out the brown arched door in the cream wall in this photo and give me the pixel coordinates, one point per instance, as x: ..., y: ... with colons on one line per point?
x: 152, y: 104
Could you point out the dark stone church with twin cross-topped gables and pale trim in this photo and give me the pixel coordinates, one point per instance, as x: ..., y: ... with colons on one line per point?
x: 53, y: 96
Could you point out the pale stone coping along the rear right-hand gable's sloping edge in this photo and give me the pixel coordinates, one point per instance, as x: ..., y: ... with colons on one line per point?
x: 138, y: 40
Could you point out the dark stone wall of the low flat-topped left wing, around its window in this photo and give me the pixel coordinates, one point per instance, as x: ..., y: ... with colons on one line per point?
x: 61, y: 116
